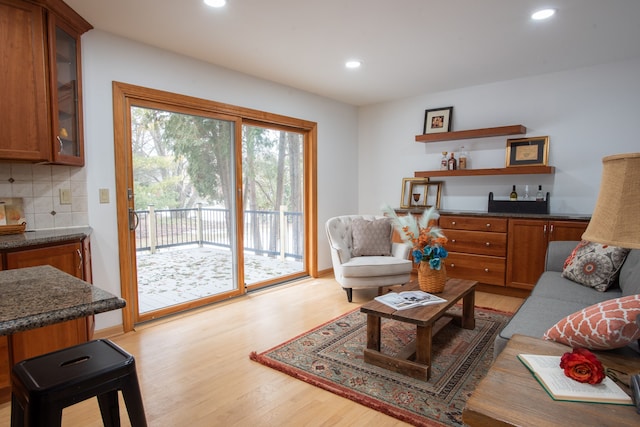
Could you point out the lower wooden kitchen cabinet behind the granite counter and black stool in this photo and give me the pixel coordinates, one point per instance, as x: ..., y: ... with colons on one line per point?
x: 70, y: 257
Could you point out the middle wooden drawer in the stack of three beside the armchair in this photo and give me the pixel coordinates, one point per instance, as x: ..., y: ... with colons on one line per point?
x: 476, y: 242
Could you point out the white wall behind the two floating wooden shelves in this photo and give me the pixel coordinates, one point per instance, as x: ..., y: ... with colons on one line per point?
x: 587, y: 113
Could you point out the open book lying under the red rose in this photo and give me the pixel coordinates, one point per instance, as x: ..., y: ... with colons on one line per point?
x: 546, y: 369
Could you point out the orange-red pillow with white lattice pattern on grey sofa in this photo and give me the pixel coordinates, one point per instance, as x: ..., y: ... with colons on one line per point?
x: 603, y: 326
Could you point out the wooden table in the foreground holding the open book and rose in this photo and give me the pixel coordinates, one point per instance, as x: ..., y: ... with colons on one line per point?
x: 510, y: 396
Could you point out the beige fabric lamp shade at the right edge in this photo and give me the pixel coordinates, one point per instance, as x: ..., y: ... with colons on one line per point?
x: 616, y: 217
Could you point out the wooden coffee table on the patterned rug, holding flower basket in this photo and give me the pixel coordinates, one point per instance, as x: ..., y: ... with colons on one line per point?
x: 415, y: 360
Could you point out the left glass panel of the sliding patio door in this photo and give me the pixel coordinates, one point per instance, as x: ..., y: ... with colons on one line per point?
x: 183, y: 181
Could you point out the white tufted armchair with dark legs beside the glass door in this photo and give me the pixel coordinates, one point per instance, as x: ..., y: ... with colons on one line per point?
x: 363, y: 260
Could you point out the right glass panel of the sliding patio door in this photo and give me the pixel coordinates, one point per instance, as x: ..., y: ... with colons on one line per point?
x: 273, y: 200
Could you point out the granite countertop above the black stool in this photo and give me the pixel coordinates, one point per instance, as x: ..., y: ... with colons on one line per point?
x: 32, y: 297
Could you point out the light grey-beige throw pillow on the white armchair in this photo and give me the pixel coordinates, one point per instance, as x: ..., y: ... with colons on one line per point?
x: 371, y: 237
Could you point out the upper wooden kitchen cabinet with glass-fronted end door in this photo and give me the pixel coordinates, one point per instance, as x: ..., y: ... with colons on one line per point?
x: 40, y: 84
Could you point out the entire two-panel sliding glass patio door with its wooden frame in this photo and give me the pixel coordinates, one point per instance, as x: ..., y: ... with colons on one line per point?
x: 212, y: 200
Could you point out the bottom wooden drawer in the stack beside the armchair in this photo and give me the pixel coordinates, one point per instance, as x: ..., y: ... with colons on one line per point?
x: 484, y: 269
